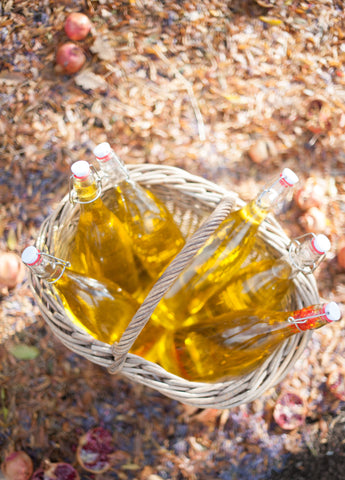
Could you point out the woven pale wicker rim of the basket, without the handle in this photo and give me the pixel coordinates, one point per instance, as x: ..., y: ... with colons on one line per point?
x: 217, y: 394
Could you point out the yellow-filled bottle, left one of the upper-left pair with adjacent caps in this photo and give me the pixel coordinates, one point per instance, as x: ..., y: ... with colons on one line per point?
x: 101, y: 247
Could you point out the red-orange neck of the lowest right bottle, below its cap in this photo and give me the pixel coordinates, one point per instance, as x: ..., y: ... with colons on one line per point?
x: 308, y: 318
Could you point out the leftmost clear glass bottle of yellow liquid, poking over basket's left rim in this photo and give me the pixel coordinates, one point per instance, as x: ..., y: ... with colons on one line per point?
x: 100, y: 307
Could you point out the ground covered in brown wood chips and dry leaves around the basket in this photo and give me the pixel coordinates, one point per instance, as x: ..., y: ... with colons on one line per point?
x: 228, y: 90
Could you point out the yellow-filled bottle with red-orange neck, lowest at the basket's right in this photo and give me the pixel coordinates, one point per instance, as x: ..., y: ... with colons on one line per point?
x: 238, y: 342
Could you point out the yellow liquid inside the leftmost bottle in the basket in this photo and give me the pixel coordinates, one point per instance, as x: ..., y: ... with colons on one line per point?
x: 104, y: 310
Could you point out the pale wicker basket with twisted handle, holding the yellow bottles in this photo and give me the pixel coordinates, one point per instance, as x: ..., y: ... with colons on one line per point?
x: 198, y: 207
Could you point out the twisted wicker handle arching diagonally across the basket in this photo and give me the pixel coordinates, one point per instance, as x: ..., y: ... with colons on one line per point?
x: 120, y: 349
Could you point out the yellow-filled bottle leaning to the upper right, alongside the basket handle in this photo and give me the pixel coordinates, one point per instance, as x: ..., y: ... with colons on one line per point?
x: 219, y: 259
